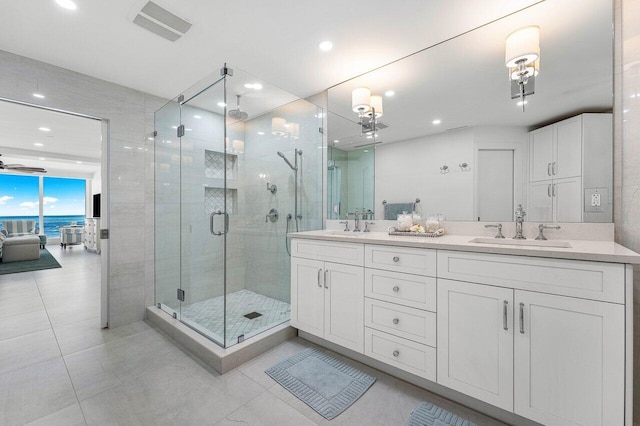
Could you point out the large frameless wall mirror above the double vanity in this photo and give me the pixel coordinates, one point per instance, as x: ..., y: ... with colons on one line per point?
x: 451, y: 135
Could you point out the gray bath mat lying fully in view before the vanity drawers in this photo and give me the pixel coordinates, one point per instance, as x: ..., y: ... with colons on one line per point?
x: 323, y: 383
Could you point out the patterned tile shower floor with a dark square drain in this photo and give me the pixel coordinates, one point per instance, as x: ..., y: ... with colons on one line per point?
x: 208, y: 315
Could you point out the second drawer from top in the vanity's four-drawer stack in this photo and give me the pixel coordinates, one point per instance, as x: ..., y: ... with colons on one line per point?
x: 416, y: 291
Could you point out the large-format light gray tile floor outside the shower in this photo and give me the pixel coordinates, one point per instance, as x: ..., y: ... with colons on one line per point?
x: 57, y: 367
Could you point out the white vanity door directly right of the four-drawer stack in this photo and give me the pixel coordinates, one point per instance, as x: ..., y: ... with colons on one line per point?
x: 475, y: 341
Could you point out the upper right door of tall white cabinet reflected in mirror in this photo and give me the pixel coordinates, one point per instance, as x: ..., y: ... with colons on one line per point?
x: 568, y: 158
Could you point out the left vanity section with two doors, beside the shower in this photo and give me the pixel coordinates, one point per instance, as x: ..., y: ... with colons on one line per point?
x: 328, y: 297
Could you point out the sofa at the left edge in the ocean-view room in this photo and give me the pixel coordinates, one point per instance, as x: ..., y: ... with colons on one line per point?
x: 19, y: 241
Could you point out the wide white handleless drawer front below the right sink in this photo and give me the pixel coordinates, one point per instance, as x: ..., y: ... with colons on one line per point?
x: 576, y: 278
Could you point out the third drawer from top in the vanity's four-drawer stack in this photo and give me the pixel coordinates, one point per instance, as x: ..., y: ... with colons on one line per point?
x: 410, y: 323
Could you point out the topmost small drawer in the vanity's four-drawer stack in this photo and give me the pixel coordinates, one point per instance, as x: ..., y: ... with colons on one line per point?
x: 400, y: 259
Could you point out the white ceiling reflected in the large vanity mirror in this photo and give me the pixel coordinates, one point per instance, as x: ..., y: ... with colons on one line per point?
x: 464, y: 82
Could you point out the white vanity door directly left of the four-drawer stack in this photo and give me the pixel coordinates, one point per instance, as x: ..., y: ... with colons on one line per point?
x: 344, y: 305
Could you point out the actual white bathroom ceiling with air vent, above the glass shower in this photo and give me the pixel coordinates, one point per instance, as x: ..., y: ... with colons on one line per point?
x: 274, y: 40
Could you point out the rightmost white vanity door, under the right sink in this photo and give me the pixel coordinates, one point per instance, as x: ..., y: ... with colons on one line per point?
x: 569, y: 357
